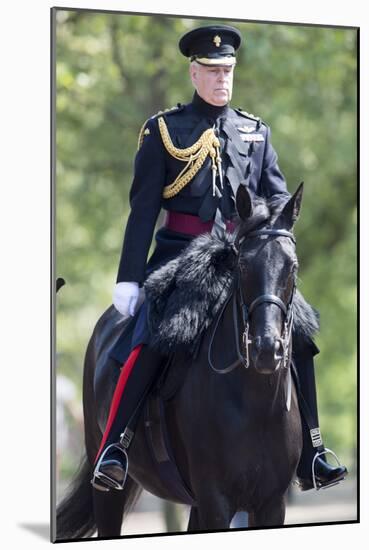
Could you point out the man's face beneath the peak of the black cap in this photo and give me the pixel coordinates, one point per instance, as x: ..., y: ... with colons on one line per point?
x: 213, y: 84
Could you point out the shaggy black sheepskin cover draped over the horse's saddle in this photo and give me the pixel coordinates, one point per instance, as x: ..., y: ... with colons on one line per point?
x: 186, y: 294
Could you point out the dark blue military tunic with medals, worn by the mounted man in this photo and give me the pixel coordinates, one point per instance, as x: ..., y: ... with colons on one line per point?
x: 248, y: 158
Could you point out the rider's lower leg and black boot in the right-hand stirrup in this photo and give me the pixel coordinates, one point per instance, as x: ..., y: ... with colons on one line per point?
x: 313, y: 455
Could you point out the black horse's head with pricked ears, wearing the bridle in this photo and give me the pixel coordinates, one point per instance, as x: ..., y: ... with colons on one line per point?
x: 267, y: 274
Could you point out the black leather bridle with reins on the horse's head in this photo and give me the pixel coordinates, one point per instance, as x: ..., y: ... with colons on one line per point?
x: 287, y: 310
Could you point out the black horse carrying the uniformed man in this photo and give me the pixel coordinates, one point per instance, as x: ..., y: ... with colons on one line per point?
x: 236, y: 436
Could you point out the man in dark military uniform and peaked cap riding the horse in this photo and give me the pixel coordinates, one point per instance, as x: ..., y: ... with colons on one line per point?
x: 190, y: 161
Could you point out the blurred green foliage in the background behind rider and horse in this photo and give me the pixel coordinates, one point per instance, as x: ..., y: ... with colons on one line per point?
x: 113, y: 72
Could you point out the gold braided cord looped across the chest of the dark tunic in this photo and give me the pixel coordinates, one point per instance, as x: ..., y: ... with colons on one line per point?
x: 194, y: 156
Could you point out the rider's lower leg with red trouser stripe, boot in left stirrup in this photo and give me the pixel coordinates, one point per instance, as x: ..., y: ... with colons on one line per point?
x: 111, y: 464
